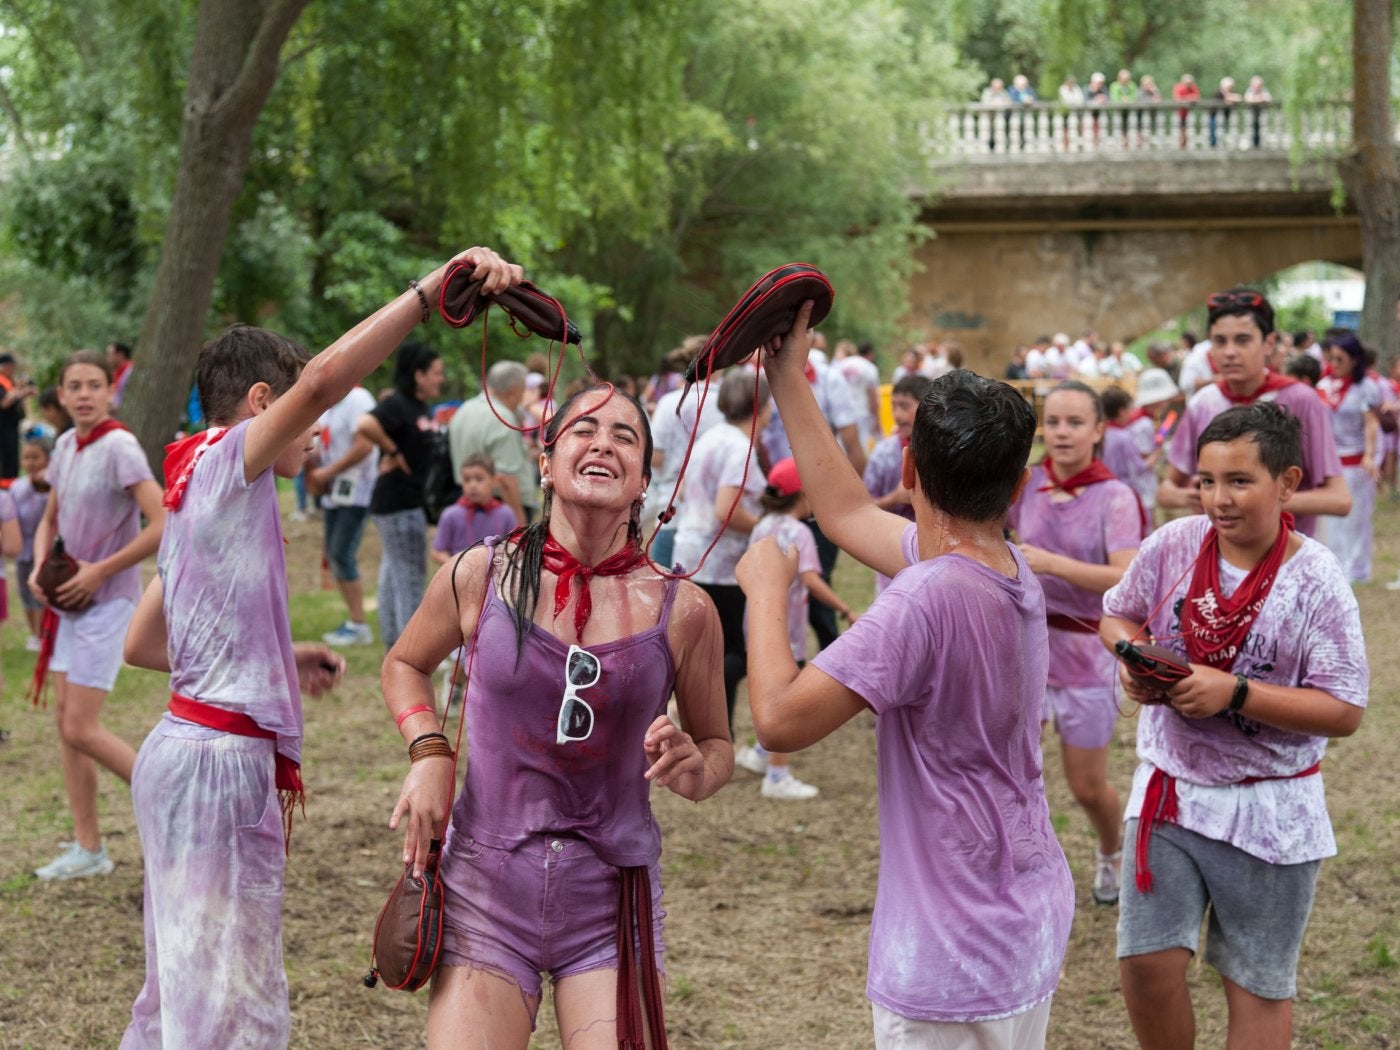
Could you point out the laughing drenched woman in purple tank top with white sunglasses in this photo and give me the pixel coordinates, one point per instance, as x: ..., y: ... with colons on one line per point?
x: 576, y: 645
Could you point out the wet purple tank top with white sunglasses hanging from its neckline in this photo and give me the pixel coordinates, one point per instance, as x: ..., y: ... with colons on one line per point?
x: 520, y: 782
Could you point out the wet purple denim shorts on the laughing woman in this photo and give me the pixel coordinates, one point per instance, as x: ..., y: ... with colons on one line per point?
x: 548, y: 906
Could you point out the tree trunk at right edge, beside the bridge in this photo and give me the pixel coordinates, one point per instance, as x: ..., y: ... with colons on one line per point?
x: 1373, y: 176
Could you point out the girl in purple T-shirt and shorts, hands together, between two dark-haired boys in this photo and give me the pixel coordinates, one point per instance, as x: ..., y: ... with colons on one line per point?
x: 1079, y: 530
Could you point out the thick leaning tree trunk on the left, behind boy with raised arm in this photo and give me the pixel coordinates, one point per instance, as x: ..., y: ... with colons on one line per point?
x: 232, y: 72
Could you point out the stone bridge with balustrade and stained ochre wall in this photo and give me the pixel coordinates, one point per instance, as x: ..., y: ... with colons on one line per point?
x: 1118, y: 218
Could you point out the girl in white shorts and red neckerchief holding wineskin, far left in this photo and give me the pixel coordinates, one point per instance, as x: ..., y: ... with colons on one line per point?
x: 100, y: 489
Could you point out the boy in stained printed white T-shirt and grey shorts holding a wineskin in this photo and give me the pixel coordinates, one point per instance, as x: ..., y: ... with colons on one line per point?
x: 1227, y: 810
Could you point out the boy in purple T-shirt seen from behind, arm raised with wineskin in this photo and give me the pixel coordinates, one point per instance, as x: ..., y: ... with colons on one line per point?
x: 975, y: 897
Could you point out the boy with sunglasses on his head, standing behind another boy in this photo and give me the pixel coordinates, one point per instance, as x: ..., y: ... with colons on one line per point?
x: 1242, y: 339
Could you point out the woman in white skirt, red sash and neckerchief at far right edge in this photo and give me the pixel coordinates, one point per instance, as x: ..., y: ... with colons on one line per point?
x: 1353, y: 400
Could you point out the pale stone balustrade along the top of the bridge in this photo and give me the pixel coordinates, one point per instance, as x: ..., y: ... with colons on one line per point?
x: 1052, y: 128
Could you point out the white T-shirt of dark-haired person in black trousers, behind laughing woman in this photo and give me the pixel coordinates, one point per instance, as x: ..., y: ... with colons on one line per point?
x: 719, y: 460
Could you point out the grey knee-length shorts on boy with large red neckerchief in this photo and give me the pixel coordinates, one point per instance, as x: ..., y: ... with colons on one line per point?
x: 1258, y: 911
